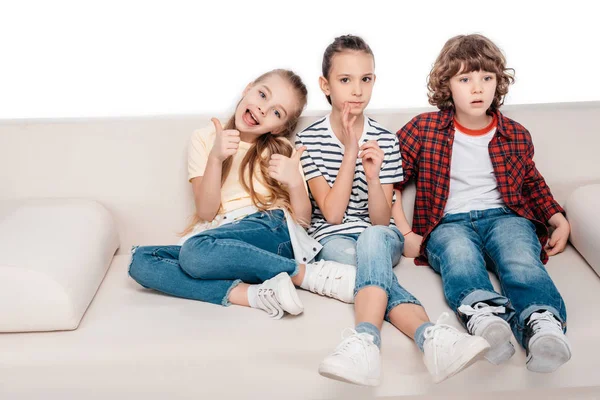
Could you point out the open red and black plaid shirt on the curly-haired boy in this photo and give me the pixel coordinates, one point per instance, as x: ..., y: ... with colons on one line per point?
x: 426, y: 147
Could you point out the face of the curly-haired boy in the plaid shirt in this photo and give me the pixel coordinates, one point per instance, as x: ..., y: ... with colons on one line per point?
x: 473, y: 93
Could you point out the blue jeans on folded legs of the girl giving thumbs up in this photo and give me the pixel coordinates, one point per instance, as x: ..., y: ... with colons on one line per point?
x: 209, y: 265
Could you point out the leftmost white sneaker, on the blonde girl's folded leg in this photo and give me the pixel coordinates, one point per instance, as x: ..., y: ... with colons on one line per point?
x: 277, y: 296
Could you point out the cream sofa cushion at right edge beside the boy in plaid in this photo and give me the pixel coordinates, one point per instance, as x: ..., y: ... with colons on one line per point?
x: 584, y: 216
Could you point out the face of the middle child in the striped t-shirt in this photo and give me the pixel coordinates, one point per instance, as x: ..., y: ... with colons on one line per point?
x: 351, y: 80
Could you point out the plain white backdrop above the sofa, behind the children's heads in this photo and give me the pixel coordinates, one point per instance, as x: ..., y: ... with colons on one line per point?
x: 119, y: 58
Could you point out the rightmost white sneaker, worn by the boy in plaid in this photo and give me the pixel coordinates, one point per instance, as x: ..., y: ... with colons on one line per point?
x: 547, y: 346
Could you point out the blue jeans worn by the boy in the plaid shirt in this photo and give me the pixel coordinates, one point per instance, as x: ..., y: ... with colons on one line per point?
x: 463, y: 245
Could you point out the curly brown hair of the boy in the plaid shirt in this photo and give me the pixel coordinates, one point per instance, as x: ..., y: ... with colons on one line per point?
x: 462, y: 54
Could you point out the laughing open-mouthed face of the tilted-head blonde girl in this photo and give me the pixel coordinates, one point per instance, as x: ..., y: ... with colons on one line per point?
x: 266, y: 106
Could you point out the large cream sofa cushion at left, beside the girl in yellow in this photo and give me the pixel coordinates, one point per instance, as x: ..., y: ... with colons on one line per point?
x: 54, y: 254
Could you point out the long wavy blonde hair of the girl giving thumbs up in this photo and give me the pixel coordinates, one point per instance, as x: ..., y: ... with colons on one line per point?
x: 256, y: 161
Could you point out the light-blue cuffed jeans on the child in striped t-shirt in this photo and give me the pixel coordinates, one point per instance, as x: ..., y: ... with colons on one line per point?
x: 374, y: 252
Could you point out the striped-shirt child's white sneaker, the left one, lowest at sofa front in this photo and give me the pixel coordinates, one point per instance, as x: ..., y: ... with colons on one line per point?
x: 355, y: 360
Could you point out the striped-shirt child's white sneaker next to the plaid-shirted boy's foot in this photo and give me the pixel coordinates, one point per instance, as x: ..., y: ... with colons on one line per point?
x: 448, y: 351
